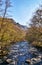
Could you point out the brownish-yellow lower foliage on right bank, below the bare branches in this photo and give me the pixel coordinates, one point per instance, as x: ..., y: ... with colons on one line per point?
x: 34, y: 35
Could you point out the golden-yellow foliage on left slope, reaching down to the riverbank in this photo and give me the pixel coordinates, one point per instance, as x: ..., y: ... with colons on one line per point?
x: 9, y: 32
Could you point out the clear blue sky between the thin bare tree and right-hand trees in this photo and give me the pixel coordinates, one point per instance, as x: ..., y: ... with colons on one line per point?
x: 22, y: 10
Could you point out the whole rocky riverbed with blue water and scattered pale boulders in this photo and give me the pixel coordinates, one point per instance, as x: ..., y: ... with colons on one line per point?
x: 22, y: 53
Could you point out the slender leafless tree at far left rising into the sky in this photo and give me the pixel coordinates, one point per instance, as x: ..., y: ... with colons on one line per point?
x: 7, y: 5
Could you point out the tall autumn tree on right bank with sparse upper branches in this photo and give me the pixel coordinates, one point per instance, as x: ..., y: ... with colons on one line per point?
x: 34, y: 34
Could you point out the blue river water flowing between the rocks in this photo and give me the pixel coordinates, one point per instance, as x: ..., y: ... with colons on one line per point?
x: 19, y: 52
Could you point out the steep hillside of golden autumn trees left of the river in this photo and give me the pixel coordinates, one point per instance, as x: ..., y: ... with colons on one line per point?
x: 10, y: 31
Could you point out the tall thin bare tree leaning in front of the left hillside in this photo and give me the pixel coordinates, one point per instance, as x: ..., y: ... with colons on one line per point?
x: 7, y: 5
